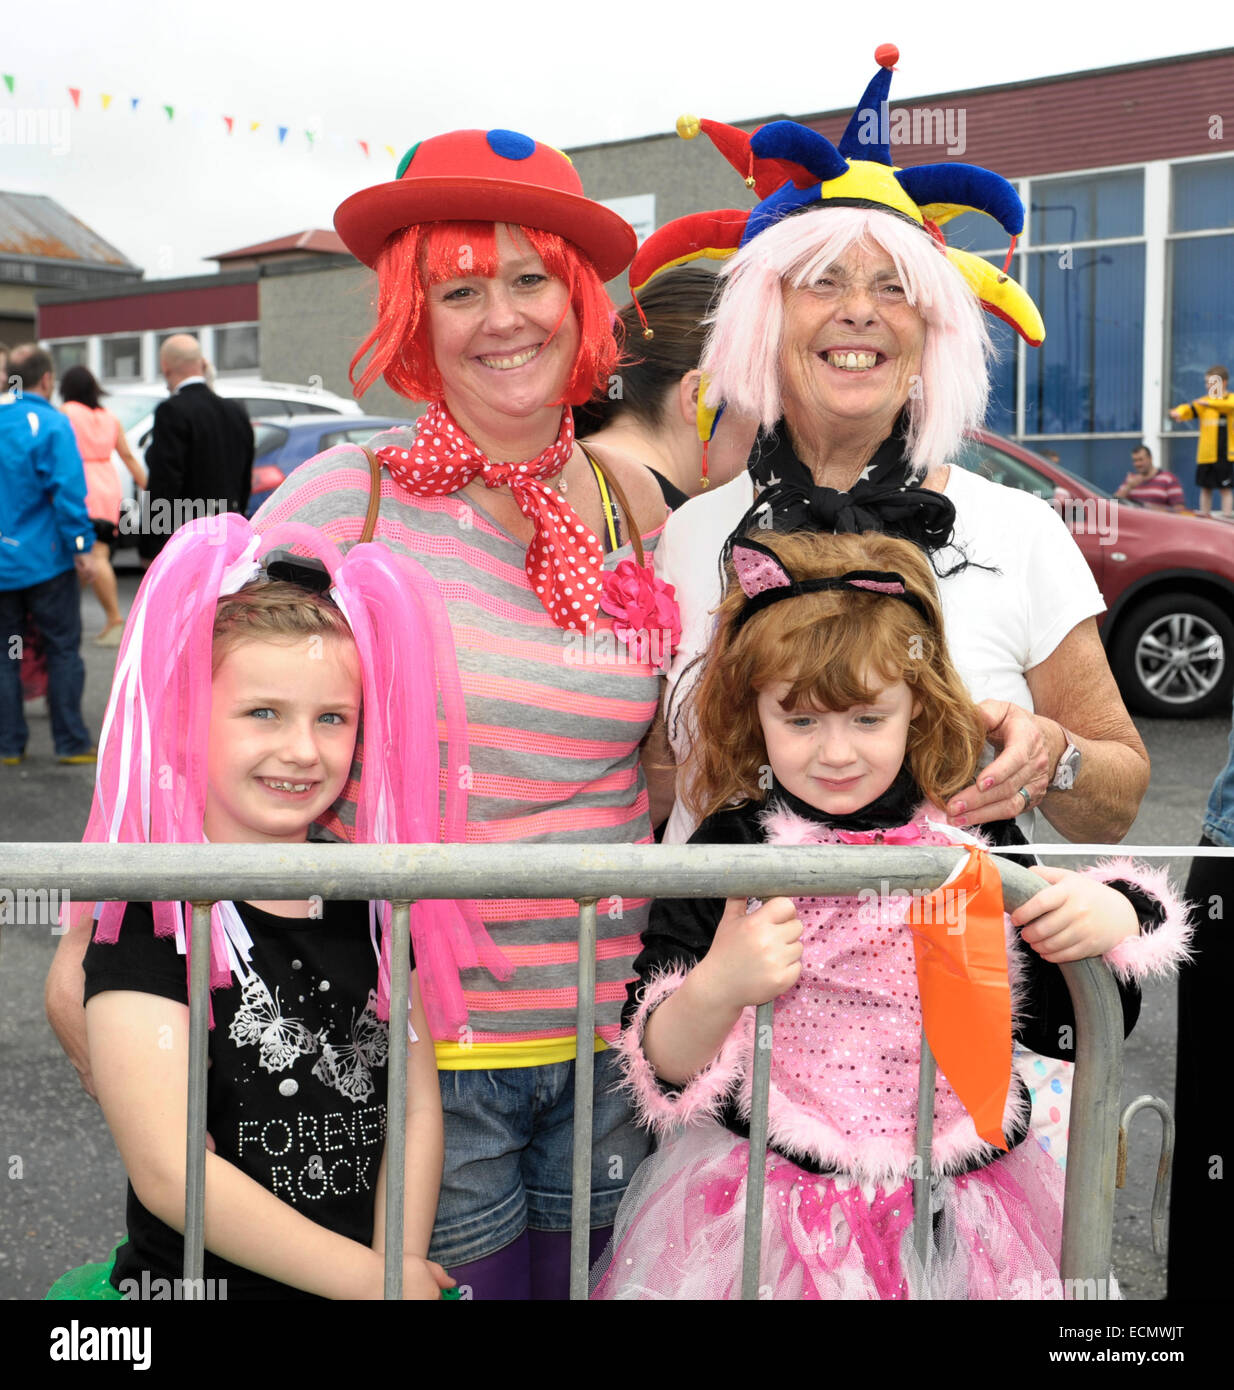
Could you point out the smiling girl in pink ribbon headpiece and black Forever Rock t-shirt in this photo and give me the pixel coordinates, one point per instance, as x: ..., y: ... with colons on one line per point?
x: 234, y: 717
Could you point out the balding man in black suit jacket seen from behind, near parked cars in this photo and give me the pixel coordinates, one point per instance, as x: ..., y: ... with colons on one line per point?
x: 201, y: 457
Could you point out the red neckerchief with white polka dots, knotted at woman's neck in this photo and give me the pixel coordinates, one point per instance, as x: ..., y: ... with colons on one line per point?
x: 565, y: 561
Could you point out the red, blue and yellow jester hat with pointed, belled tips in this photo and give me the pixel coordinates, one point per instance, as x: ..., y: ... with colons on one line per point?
x: 794, y: 169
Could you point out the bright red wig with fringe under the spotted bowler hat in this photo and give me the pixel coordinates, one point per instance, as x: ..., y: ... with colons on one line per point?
x: 429, y: 254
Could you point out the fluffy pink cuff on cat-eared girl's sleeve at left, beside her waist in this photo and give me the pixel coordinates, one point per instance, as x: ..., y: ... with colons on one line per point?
x: 702, y: 1099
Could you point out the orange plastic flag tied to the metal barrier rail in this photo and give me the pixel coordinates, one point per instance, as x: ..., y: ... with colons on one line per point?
x: 966, y: 1001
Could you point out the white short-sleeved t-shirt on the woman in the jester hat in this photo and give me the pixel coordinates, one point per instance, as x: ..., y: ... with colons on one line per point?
x: 1000, y: 622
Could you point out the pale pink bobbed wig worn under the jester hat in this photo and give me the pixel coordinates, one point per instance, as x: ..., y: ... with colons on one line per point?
x: 743, y: 354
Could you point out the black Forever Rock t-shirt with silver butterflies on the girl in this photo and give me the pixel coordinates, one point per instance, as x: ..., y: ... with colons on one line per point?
x: 298, y: 1075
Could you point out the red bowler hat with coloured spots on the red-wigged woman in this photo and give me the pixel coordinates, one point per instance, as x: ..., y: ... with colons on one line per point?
x: 487, y: 177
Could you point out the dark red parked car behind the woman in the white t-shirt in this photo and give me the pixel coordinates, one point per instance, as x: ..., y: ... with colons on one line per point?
x: 1167, y: 576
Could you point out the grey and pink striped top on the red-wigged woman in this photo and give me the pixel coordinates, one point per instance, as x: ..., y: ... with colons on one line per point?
x: 554, y: 736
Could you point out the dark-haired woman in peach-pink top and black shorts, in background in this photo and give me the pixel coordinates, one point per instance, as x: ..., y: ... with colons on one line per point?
x: 98, y: 433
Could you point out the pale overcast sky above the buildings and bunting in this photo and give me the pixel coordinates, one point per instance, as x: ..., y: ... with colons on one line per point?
x: 169, y: 193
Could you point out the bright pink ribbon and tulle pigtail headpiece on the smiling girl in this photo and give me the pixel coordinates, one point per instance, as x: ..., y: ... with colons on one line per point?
x: 152, y: 776
